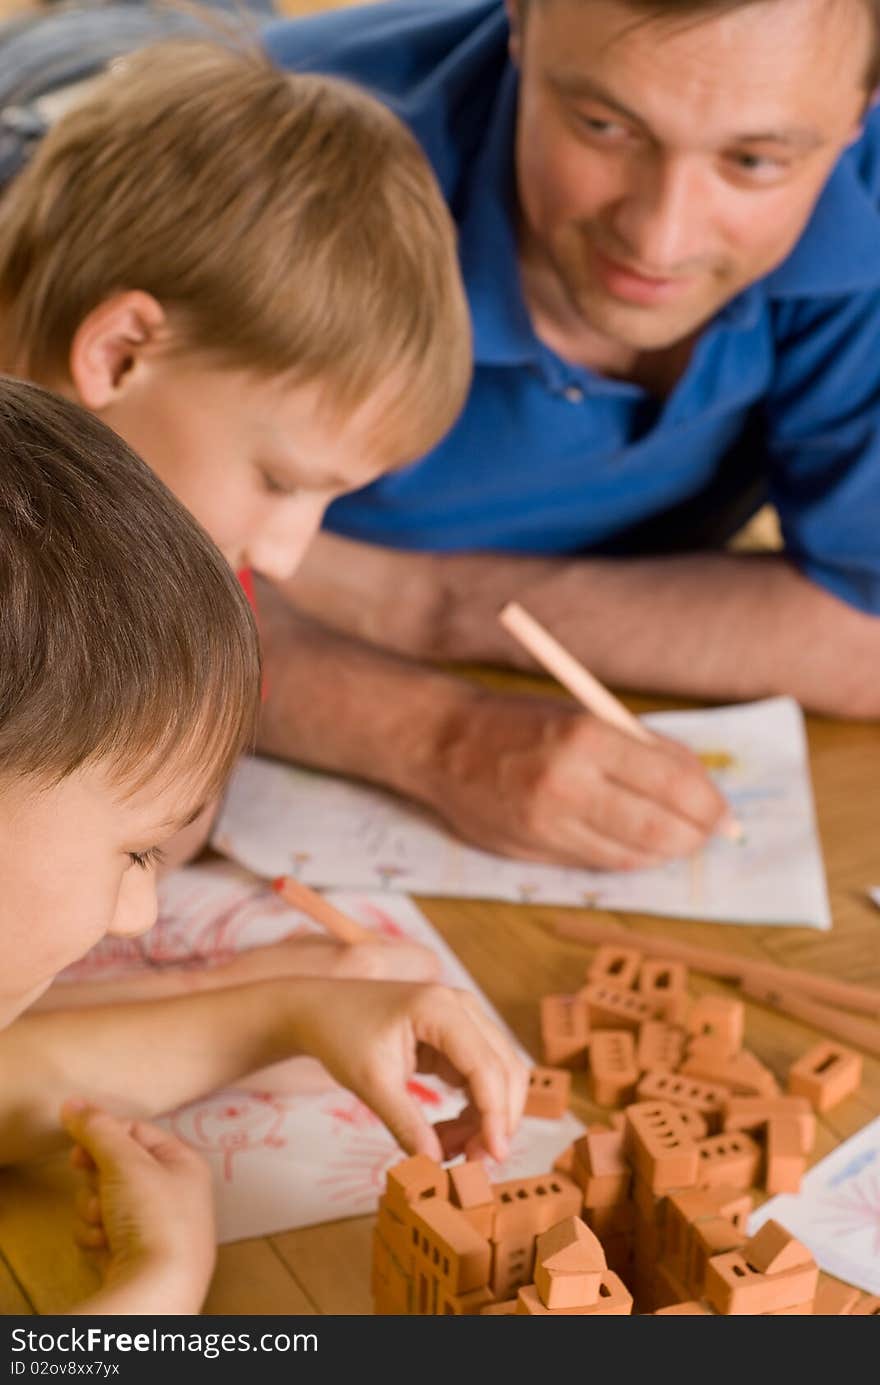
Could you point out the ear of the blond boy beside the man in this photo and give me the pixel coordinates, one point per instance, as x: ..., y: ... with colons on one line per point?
x: 110, y: 344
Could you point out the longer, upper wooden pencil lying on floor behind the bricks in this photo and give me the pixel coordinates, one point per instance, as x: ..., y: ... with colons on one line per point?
x: 725, y: 966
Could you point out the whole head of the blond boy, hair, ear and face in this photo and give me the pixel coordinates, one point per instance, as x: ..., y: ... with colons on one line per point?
x: 250, y: 275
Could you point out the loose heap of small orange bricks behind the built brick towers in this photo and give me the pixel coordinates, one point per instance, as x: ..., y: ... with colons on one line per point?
x: 644, y: 1039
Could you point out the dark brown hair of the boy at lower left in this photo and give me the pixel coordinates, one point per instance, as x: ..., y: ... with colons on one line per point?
x: 125, y: 638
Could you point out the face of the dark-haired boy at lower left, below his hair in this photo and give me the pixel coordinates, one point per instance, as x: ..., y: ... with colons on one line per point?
x: 78, y: 862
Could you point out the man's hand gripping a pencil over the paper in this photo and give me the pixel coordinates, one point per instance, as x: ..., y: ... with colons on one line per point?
x: 540, y: 780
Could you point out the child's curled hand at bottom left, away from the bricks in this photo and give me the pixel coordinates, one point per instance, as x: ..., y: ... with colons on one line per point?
x: 146, y: 1200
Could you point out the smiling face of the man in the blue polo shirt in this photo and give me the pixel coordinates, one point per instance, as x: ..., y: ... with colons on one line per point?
x: 663, y: 168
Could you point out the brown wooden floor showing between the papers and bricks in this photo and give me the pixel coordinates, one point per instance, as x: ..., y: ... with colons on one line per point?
x: 515, y: 956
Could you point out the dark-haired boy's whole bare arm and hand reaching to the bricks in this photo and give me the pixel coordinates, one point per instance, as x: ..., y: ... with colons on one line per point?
x: 155, y: 1056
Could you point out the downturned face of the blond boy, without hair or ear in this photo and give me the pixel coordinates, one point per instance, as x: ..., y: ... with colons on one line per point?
x: 257, y: 462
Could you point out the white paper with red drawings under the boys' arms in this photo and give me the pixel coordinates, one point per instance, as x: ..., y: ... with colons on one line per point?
x: 288, y: 1161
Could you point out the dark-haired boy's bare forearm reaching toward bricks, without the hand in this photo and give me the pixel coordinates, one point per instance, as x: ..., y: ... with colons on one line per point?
x: 141, y: 1059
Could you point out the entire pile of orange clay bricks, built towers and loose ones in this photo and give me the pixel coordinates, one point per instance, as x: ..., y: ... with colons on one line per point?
x: 646, y: 1213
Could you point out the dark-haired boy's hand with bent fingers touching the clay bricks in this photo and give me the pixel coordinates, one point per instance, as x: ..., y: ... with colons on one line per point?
x: 375, y: 1035
